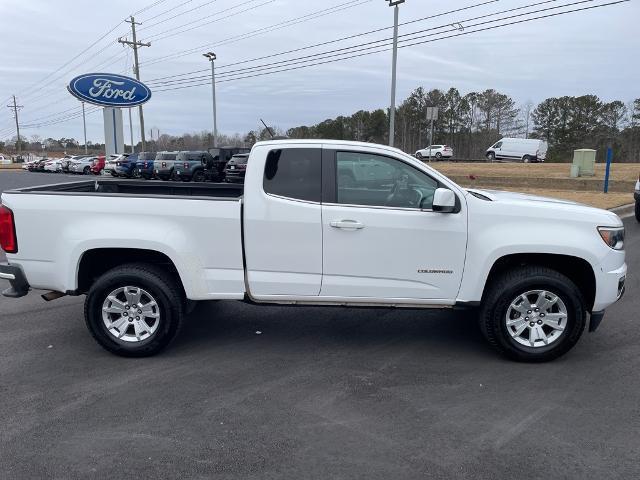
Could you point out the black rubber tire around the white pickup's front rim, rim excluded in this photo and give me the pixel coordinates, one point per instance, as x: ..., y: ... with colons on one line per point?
x: 510, y: 285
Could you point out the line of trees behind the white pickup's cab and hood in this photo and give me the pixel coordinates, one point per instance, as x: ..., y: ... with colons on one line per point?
x: 472, y: 122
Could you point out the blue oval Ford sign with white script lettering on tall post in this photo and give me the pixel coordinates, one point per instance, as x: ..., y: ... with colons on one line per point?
x: 109, y: 90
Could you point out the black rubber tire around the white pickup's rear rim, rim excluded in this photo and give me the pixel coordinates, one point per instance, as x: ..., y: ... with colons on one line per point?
x: 165, y: 291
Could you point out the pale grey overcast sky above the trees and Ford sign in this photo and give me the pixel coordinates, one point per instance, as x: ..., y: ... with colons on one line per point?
x: 593, y: 51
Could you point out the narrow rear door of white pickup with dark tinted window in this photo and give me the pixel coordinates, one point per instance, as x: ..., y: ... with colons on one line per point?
x: 282, y: 221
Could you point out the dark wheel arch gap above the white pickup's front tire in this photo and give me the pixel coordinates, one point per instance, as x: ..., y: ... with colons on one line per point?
x: 577, y: 269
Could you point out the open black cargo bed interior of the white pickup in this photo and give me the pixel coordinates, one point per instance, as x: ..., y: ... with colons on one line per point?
x: 138, y: 188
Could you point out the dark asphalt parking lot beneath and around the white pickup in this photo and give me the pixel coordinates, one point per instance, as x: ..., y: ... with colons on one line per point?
x: 305, y: 392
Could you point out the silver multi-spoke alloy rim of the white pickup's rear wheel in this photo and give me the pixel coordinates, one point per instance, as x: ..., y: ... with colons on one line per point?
x: 130, y: 314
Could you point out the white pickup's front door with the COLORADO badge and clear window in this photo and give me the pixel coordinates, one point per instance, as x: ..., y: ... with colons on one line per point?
x: 381, y: 240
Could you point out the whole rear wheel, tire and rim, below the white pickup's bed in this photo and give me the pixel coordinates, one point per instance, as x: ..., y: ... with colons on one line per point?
x: 134, y: 310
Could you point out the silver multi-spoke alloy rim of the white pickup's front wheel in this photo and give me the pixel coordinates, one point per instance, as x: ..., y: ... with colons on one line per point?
x: 536, y: 318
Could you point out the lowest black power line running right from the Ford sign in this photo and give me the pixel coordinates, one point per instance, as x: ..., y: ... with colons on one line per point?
x: 385, y: 49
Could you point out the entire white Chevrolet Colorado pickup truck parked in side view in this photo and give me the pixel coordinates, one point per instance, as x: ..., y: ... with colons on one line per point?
x: 316, y: 223
